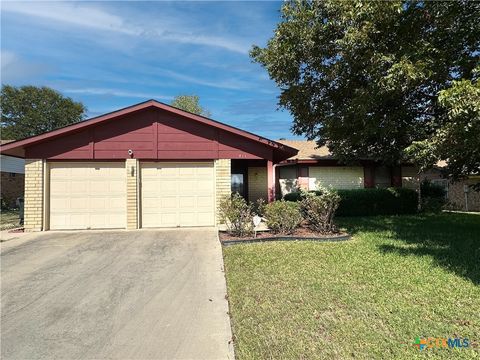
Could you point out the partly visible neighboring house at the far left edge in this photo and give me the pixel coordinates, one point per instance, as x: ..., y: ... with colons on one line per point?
x: 12, y: 181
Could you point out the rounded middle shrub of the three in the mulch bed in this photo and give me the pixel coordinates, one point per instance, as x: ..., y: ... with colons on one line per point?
x: 283, y: 216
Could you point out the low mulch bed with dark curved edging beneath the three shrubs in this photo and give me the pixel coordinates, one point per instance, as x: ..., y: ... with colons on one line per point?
x: 301, y: 233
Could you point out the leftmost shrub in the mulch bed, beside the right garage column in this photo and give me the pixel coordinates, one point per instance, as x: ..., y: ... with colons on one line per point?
x: 237, y: 215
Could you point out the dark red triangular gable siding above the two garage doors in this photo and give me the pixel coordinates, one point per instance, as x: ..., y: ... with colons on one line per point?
x: 151, y: 134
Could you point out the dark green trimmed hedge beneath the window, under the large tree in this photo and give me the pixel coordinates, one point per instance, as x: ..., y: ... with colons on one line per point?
x: 366, y: 202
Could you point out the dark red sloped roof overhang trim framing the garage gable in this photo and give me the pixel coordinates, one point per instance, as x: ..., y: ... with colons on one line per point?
x: 17, y: 148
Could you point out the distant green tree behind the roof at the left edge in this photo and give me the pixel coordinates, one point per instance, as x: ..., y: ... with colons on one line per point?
x: 30, y: 110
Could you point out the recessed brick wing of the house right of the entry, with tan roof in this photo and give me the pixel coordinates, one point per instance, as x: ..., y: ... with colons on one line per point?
x: 315, y: 166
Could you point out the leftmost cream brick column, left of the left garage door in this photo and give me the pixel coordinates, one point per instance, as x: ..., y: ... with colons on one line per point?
x: 33, y: 220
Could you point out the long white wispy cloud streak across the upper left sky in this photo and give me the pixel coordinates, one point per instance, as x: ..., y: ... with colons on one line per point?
x: 88, y: 16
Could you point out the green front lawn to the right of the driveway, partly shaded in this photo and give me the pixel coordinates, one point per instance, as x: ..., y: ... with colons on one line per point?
x: 398, y: 278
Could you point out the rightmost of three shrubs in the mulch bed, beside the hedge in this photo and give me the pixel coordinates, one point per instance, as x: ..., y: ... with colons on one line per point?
x: 319, y: 208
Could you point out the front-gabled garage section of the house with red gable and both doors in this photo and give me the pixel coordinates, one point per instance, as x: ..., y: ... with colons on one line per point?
x: 148, y: 165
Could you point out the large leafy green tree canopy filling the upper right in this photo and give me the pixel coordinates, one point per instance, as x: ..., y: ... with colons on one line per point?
x: 364, y: 77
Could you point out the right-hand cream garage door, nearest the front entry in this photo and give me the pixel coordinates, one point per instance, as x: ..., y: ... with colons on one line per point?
x: 177, y: 194
